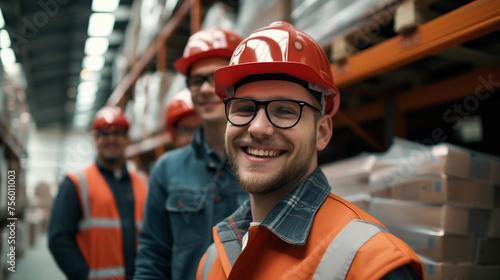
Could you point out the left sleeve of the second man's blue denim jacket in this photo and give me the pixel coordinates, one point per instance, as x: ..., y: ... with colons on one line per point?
x: 155, y: 242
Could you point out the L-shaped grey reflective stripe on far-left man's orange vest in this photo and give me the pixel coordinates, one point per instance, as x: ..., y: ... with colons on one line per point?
x: 88, y: 221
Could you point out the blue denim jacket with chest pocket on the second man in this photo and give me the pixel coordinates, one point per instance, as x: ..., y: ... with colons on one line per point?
x: 190, y: 190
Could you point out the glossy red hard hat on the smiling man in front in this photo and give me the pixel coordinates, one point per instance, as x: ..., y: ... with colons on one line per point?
x: 281, y: 48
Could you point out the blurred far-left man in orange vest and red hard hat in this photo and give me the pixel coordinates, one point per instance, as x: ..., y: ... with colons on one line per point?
x: 96, y: 215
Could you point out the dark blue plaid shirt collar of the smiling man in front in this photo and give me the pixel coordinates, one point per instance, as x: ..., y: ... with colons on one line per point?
x: 291, y: 219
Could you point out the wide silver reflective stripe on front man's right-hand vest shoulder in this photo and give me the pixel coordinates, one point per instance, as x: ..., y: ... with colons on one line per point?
x: 338, y: 257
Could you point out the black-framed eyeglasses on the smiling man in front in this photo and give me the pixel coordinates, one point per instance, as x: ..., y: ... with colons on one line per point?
x: 282, y: 113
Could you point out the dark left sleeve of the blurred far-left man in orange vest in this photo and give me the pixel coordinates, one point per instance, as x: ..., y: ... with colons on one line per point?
x: 63, y: 225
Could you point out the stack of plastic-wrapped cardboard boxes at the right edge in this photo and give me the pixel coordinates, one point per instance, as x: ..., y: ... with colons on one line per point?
x: 440, y: 200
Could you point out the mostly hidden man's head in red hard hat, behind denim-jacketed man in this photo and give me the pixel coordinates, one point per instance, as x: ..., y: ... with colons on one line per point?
x: 181, y: 119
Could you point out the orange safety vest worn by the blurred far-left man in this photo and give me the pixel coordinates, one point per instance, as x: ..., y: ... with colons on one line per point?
x: 100, y: 233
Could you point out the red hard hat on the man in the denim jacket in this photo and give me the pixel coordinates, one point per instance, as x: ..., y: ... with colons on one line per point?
x: 208, y: 42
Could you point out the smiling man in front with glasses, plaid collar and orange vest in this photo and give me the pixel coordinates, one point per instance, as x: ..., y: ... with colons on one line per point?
x: 280, y: 98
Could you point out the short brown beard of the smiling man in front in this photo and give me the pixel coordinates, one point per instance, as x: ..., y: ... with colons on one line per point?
x: 287, y: 176
